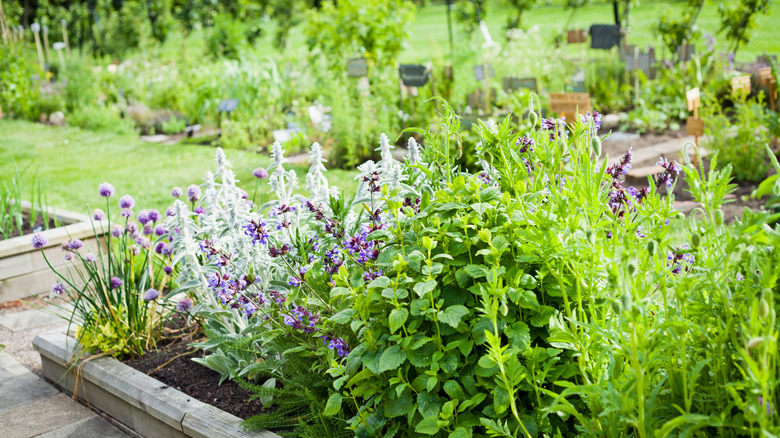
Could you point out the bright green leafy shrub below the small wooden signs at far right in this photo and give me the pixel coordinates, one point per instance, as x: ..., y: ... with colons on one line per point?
x: 739, y: 142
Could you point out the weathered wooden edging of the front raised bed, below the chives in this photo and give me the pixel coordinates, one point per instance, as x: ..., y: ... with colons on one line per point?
x: 142, y: 403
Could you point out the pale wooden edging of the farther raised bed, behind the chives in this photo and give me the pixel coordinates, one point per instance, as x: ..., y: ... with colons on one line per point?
x: 23, y: 270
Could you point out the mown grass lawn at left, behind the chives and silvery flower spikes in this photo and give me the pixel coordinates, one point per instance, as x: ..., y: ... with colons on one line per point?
x: 71, y: 163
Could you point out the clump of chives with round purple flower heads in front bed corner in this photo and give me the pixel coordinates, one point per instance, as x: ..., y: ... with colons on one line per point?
x: 116, y: 288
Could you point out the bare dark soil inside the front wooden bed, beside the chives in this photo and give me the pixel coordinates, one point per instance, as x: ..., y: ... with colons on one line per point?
x: 172, y: 365
